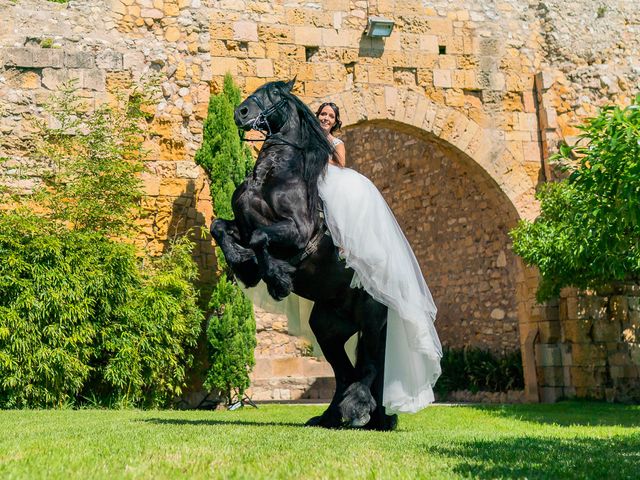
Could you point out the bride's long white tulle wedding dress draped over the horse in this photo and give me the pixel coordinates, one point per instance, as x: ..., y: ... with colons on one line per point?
x: 363, y: 226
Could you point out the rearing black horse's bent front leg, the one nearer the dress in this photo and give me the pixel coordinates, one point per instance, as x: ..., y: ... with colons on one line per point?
x: 277, y: 273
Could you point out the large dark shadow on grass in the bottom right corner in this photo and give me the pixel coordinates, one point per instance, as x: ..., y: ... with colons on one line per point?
x: 521, y: 457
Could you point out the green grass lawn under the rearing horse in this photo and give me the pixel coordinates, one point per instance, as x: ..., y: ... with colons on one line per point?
x: 566, y: 440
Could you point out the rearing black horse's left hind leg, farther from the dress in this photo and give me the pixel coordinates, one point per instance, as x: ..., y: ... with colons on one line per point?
x: 332, y: 328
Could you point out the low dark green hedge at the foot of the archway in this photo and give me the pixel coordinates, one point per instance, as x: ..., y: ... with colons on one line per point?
x: 480, y: 370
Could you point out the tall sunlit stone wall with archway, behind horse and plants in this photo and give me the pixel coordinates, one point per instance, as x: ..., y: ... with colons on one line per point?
x: 471, y: 98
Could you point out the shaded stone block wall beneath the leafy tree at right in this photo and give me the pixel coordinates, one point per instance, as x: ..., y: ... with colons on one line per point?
x: 588, y: 346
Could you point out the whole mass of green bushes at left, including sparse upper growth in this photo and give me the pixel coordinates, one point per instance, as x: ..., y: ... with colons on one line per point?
x: 80, y: 315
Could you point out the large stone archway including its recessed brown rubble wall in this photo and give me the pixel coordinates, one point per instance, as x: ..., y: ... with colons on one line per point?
x: 491, y: 305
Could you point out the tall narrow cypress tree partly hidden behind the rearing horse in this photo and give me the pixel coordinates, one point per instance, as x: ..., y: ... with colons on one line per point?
x: 231, y: 329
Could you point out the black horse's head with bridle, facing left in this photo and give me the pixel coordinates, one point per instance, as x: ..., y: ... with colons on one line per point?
x: 266, y: 108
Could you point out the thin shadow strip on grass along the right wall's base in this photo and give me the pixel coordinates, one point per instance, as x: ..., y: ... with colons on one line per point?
x: 569, y: 413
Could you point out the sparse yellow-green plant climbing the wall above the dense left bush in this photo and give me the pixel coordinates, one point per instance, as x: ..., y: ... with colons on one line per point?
x: 96, y: 157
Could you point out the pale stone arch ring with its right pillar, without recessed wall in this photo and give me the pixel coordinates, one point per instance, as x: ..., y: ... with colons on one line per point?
x: 483, y: 150
